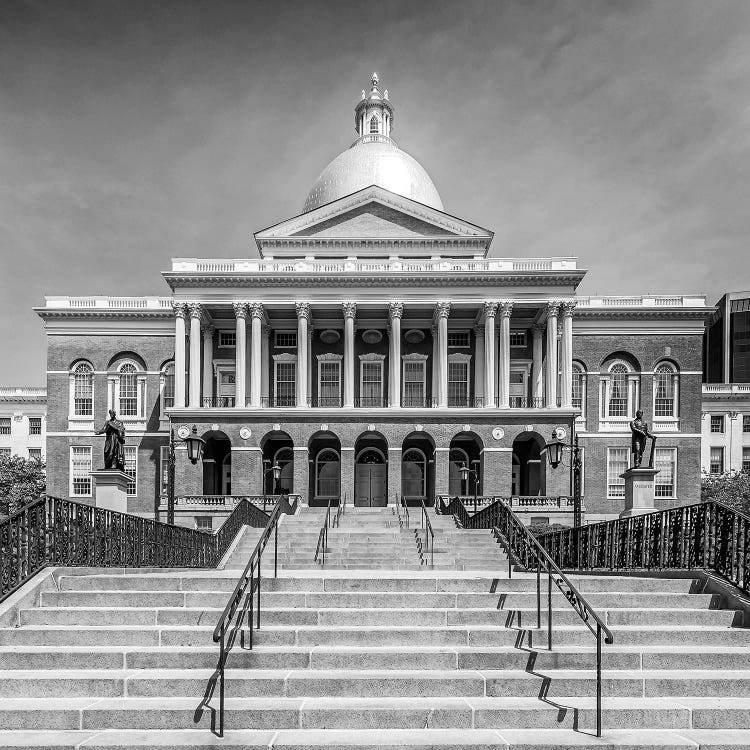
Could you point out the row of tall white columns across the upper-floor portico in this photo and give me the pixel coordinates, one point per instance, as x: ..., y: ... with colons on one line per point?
x: 492, y: 354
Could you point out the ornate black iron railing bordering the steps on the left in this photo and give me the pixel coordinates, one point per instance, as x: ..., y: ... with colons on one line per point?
x: 53, y: 531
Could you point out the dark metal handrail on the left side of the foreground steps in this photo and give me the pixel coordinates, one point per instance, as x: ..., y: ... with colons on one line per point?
x: 248, y: 579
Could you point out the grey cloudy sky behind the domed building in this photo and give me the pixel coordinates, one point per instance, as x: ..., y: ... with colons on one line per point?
x: 131, y: 132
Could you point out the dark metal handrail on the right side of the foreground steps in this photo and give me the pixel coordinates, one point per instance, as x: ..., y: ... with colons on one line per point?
x: 522, y: 544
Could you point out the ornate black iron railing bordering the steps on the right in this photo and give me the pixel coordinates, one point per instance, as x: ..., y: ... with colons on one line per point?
x: 706, y: 536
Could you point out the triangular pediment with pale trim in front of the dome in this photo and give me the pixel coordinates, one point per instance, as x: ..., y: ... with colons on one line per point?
x: 372, y: 213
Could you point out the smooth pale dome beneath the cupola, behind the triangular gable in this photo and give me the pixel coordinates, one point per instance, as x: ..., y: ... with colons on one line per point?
x: 376, y: 161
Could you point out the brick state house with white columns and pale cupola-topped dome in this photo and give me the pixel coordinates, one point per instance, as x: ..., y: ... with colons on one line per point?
x: 372, y: 346
